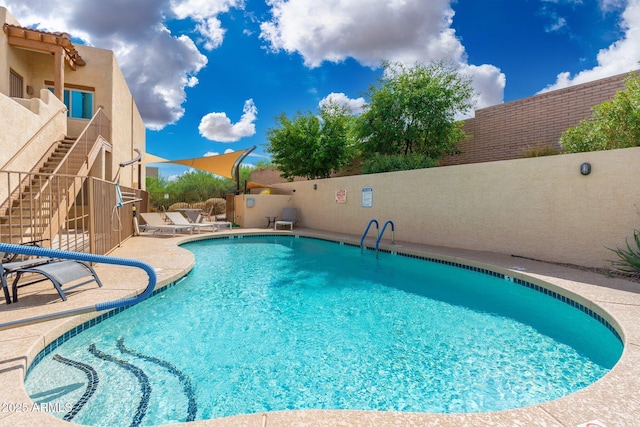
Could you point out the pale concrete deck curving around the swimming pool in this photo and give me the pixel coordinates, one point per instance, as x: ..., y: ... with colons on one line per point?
x: 613, y: 401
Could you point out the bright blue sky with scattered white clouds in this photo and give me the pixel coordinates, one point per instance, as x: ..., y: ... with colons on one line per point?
x: 210, y: 76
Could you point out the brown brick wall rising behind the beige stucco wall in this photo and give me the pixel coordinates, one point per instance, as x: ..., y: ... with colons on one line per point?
x: 508, y: 131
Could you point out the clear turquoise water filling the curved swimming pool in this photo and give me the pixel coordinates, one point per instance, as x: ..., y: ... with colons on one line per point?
x: 284, y: 323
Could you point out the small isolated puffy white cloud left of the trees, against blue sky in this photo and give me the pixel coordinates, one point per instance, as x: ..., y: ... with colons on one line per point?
x: 218, y: 127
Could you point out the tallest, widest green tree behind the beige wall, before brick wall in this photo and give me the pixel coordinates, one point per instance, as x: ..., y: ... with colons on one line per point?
x: 412, y: 113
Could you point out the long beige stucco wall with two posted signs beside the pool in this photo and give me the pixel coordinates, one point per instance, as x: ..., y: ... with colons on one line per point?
x: 541, y: 207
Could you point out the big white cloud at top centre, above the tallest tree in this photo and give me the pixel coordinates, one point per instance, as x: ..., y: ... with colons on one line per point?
x: 406, y: 31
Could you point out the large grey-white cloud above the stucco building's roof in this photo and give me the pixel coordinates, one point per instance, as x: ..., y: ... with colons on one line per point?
x: 157, y: 65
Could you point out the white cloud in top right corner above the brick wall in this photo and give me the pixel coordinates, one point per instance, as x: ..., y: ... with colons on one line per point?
x: 620, y: 57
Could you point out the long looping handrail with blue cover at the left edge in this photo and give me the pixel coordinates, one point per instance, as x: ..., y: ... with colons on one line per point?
x: 109, y: 305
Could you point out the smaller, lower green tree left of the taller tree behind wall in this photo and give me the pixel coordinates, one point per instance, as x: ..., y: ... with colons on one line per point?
x: 311, y: 146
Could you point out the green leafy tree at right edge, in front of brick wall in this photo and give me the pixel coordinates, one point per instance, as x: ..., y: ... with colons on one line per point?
x: 613, y: 124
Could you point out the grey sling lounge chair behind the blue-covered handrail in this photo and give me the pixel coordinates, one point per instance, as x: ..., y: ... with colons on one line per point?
x: 67, y: 274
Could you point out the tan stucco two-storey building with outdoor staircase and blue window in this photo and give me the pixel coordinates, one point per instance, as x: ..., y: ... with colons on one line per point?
x: 65, y: 110
